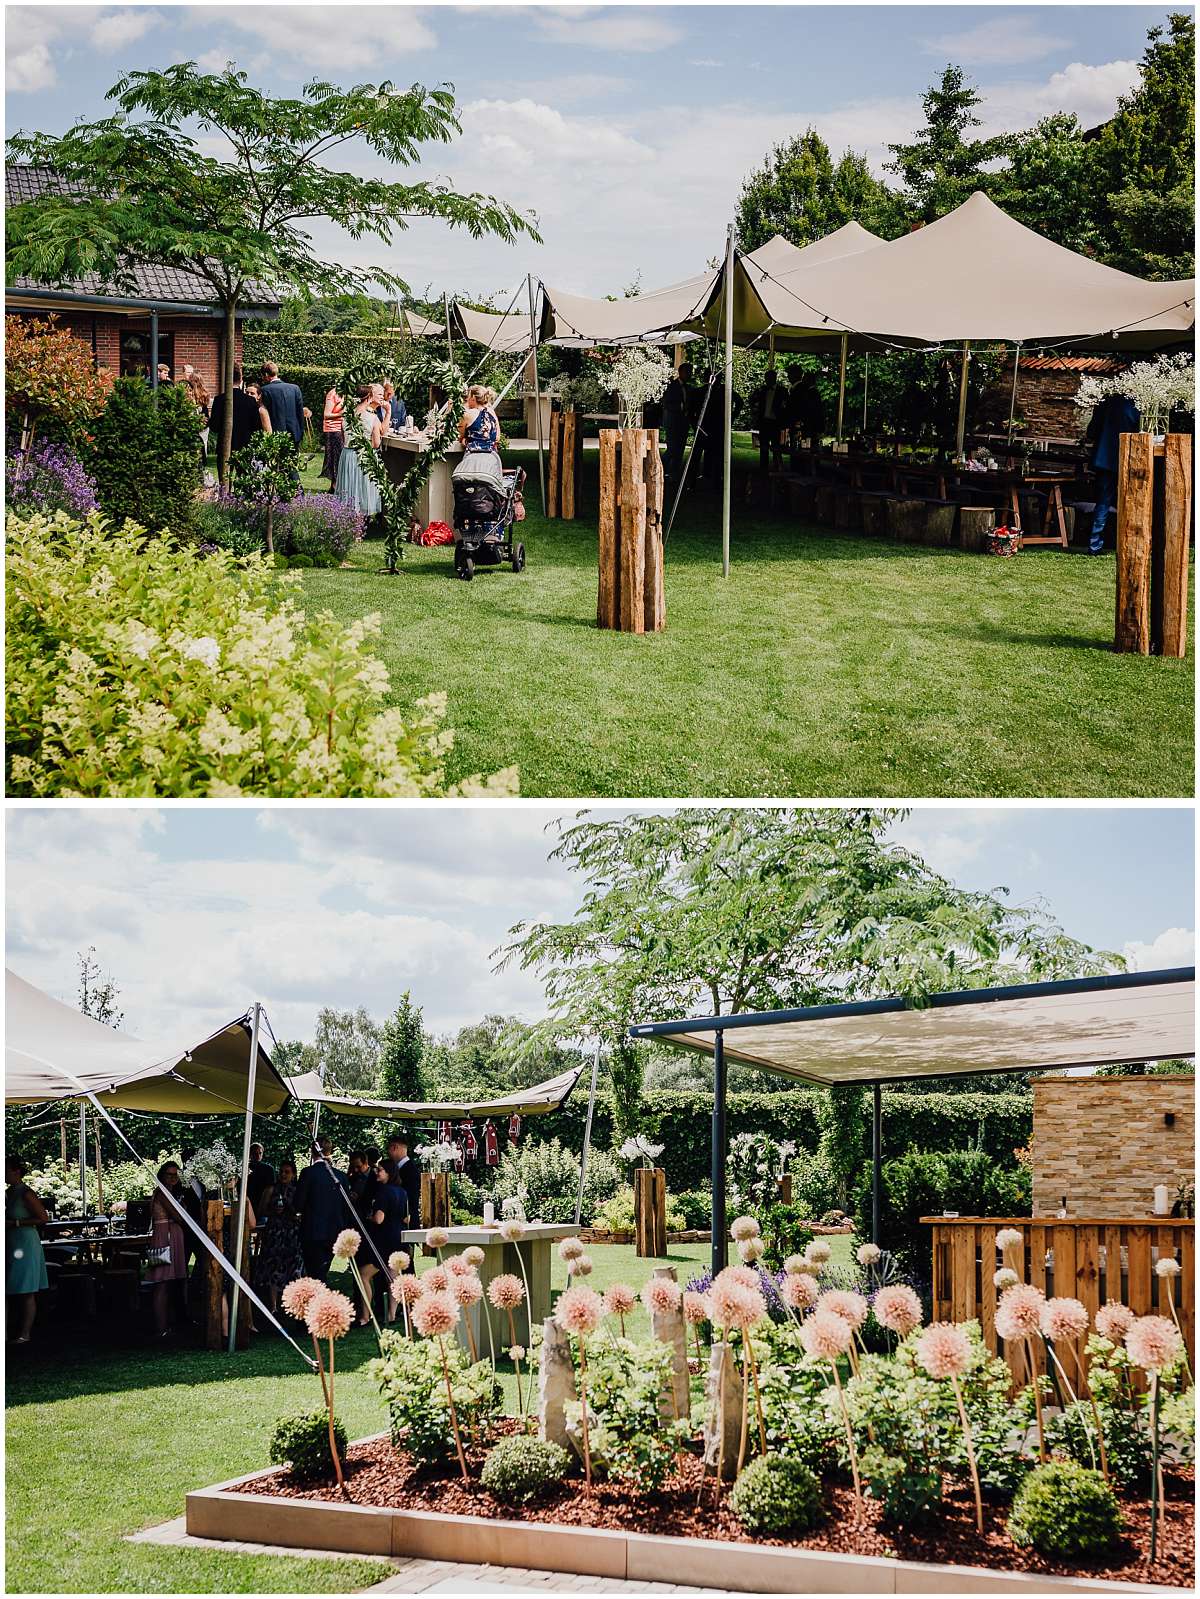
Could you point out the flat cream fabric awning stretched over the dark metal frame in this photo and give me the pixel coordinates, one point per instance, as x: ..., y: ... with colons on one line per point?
x: 1036, y: 1027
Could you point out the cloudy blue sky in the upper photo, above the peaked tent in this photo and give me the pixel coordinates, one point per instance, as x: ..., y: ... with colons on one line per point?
x: 628, y: 129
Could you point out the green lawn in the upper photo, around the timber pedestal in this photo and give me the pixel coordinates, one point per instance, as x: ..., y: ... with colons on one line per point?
x: 828, y: 666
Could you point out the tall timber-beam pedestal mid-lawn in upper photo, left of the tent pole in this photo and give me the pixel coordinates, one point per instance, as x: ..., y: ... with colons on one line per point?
x: 631, y: 596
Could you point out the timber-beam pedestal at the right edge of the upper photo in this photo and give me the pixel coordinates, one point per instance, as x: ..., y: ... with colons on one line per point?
x: 1154, y: 527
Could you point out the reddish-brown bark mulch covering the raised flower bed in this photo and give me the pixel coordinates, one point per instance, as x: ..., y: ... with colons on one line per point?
x: 380, y: 1475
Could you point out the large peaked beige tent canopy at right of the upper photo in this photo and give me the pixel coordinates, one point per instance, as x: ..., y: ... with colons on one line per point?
x: 974, y: 276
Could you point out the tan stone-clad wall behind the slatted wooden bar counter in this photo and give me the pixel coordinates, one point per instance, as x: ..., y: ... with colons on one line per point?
x: 1103, y: 1142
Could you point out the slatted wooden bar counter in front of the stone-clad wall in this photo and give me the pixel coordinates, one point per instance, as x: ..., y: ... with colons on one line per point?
x: 1090, y: 1259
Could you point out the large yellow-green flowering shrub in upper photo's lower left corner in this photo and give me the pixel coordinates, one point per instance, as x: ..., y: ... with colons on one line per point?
x: 145, y: 669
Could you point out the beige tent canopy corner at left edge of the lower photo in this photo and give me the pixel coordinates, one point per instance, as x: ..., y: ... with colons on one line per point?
x: 49, y: 1045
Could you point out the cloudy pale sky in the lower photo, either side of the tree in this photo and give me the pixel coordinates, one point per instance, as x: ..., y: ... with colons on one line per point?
x: 198, y: 912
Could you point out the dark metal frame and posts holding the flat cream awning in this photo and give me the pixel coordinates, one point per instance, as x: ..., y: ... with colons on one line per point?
x: 678, y: 1034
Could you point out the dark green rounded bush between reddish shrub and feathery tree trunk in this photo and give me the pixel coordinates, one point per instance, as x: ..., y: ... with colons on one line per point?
x: 146, y: 457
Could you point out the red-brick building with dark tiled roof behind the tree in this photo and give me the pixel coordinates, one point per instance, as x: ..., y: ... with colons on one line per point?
x: 167, y: 317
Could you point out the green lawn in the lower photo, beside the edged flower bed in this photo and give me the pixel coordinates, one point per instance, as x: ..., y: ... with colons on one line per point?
x: 102, y: 1443
